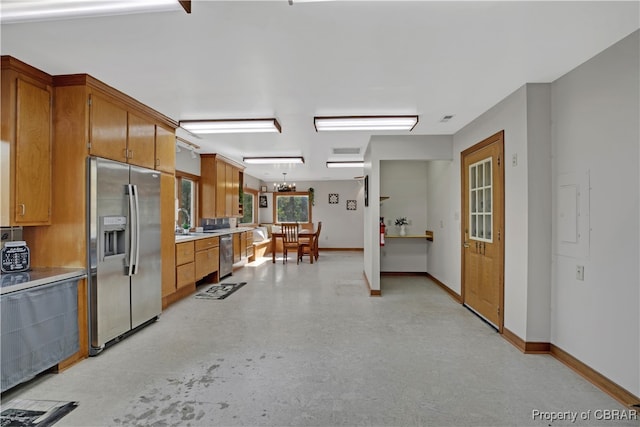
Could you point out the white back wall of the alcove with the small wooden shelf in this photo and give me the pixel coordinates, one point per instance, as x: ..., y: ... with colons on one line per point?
x: 405, y: 183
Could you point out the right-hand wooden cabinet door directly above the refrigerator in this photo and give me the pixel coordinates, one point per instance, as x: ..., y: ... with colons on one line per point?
x: 141, y: 142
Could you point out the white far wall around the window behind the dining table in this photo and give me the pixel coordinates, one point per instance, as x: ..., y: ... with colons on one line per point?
x: 341, y: 228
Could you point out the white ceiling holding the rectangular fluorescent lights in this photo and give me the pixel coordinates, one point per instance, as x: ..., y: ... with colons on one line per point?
x: 242, y: 59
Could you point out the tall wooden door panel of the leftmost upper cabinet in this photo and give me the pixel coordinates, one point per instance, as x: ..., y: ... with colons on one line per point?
x: 33, y: 155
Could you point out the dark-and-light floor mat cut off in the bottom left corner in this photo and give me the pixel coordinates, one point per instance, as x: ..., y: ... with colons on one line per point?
x: 34, y: 413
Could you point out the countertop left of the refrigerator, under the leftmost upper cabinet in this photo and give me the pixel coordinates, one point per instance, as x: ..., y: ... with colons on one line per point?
x: 12, y: 282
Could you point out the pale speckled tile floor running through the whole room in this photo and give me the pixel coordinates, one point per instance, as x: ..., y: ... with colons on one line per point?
x: 304, y: 345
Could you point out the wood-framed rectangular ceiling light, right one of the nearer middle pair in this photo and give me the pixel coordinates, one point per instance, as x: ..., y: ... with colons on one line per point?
x: 345, y: 123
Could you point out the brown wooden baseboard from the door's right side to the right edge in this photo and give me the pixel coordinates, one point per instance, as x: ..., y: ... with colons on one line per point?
x: 603, y: 383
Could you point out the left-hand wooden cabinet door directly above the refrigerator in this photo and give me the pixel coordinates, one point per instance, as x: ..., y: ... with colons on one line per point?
x: 108, y: 129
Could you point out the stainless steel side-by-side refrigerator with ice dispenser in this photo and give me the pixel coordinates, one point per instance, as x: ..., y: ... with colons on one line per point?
x: 125, y: 288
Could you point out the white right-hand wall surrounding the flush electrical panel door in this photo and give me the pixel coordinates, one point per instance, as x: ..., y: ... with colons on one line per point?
x: 596, y: 113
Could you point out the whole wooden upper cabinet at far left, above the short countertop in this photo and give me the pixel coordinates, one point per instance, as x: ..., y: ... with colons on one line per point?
x: 26, y: 145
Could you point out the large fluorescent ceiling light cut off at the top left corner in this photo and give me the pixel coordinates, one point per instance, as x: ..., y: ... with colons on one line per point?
x: 22, y: 11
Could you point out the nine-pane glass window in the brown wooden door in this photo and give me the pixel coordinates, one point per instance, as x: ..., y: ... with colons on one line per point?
x: 481, y: 200
